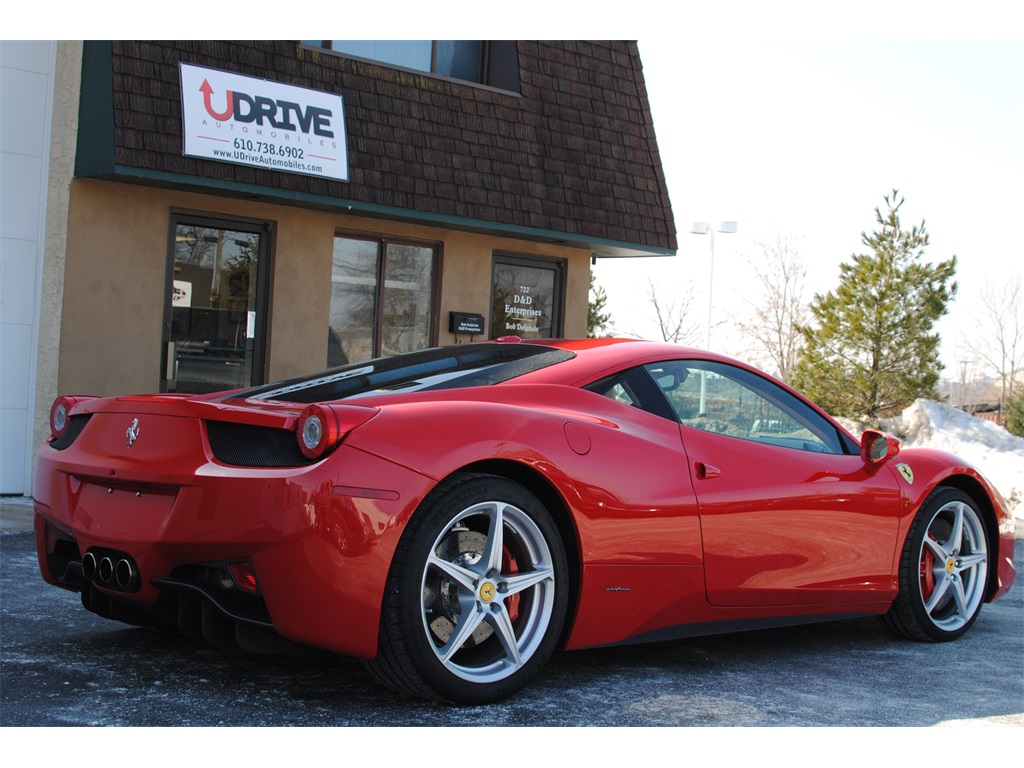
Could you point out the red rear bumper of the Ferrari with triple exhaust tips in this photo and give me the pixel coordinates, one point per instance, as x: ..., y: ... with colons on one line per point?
x: 320, y: 540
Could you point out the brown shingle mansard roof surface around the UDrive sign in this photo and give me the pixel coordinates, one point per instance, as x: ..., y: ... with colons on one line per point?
x: 574, y: 153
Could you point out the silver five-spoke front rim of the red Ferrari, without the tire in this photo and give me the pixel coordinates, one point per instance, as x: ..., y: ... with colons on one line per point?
x: 954, y: 567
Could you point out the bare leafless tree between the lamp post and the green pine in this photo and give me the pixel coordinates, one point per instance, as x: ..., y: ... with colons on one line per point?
x: 780, y: 310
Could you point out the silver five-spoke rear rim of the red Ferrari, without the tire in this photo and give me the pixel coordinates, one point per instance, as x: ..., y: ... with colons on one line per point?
x: 488, y: 592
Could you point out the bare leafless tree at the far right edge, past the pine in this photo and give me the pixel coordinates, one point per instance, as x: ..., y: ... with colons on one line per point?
x: 999, y: 338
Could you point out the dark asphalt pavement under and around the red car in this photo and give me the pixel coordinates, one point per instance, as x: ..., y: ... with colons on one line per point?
x: 62, y: 666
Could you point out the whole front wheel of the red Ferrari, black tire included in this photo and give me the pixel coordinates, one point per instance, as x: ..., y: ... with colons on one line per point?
x: 943, y: 571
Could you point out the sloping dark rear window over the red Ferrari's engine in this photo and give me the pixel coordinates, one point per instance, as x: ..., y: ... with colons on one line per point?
x: 440, y: 368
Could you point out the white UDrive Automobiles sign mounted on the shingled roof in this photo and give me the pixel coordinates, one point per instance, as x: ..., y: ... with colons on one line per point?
x: 238, y: 119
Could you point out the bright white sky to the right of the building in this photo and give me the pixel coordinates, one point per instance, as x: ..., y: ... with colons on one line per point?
x: 805, y: 138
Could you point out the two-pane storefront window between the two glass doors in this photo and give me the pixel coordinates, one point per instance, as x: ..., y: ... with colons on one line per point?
x: 381, y: 300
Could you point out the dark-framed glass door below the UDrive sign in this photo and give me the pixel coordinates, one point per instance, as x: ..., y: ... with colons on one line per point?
x: 217, y: 307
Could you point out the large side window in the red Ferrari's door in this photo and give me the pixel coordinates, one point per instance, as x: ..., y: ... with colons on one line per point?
x: 729, y: 401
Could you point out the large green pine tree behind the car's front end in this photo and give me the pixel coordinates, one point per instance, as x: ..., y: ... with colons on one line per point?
x: 872, y: 350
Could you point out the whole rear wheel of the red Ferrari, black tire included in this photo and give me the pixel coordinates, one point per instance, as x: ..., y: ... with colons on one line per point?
x: 473, y: 609
